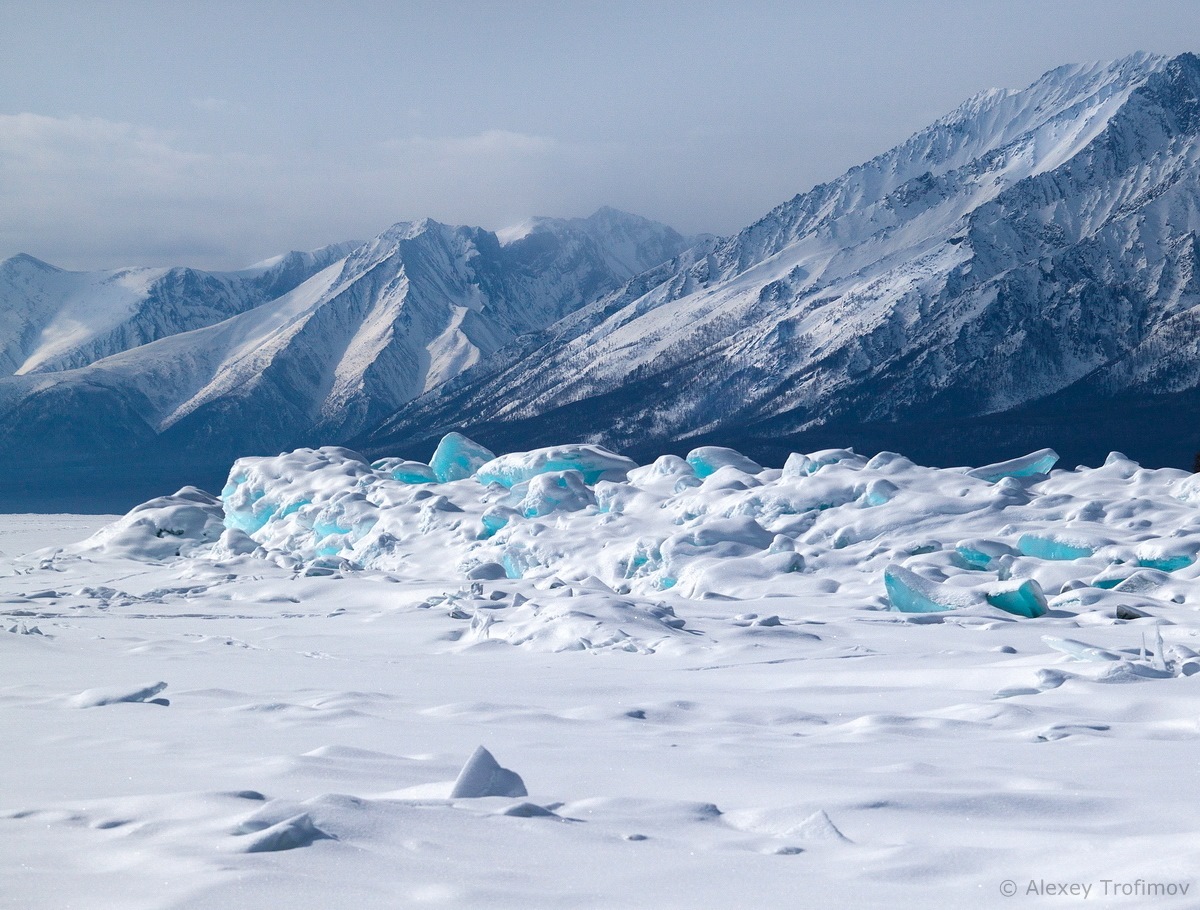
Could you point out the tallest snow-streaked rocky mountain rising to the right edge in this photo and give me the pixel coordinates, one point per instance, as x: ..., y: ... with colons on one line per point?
x: 1023, y: 272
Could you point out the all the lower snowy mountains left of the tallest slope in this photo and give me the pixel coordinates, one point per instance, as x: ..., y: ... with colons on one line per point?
x: 338, y: 352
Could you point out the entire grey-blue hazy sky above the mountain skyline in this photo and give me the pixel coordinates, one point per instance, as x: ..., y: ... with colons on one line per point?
x: 219, y: 134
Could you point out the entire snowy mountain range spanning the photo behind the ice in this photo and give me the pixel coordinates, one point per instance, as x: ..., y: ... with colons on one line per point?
x: 1022, y: 273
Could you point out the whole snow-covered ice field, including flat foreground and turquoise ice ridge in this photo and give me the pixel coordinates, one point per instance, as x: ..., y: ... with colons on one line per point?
x: 559, y: 679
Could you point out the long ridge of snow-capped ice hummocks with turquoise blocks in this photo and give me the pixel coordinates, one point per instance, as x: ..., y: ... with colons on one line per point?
x: 881, y: 526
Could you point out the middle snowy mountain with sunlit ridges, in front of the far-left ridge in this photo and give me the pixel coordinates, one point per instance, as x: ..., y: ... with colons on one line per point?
x: 335, y: 355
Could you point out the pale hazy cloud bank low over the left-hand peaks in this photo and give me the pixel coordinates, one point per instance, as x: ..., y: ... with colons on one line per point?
x: 88, y: 193
